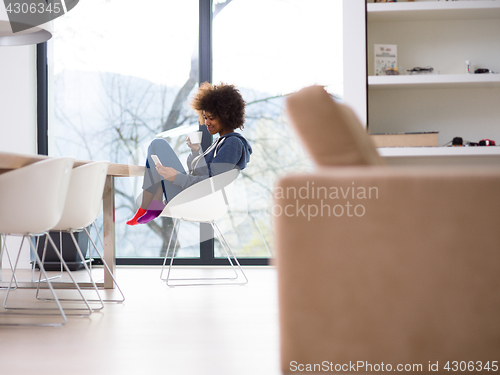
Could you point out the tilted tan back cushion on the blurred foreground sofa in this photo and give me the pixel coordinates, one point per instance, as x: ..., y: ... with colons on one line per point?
x: 330, y: 131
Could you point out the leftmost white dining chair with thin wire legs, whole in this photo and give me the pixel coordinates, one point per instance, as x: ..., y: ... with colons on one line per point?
x: 31, y: 203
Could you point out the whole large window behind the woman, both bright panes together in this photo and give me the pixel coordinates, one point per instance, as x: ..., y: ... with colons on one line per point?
x: 122, y: 72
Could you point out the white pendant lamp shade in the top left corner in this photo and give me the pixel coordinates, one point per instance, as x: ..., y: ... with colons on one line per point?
x: 33, y: 35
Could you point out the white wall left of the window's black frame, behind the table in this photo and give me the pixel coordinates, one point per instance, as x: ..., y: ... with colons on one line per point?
x: 18, y: 111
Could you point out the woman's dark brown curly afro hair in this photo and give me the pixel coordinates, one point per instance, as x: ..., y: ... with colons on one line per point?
x: 222, y: 100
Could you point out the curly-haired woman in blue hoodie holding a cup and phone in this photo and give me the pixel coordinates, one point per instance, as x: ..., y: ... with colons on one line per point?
x: 221, y: 109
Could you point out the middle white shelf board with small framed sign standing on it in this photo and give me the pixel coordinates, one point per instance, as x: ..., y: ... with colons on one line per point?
x: 434, y: 81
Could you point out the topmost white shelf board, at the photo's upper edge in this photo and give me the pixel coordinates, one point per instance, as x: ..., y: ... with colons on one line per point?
x: 433, y: 10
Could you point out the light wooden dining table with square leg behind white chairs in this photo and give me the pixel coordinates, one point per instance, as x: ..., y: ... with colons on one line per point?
x: 10, y: 161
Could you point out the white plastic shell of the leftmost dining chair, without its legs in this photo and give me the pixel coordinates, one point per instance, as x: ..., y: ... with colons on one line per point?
x: 32, y: 197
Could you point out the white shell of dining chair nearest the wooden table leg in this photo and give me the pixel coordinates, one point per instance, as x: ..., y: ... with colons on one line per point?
x: 83, y: 202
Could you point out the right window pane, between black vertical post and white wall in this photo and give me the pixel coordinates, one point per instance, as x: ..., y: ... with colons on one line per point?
x: 269, y: 49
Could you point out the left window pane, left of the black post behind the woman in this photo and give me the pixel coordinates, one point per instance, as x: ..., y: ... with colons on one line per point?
x: 123, y: 72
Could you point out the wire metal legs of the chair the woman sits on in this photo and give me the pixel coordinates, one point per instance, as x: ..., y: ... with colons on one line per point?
x: 205, y: 280
